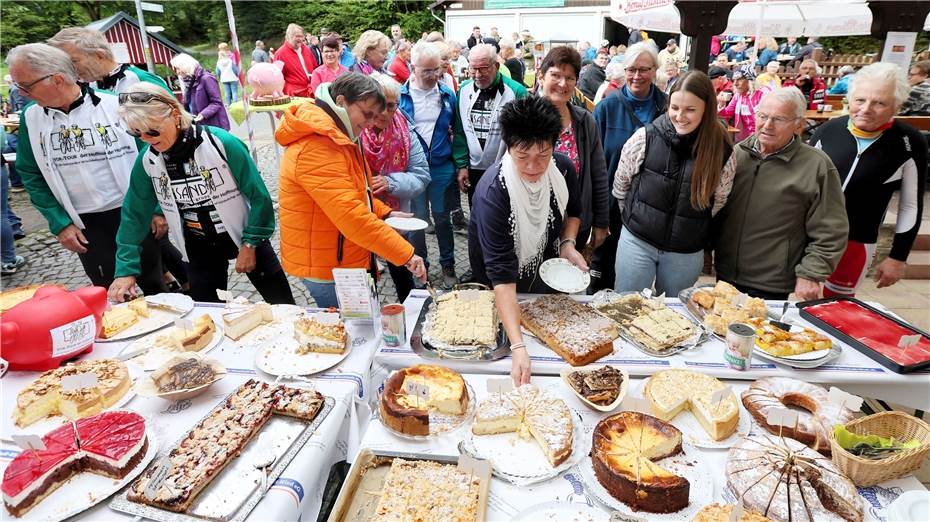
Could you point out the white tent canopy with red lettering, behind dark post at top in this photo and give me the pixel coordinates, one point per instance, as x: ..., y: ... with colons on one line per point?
x: 757, y: 17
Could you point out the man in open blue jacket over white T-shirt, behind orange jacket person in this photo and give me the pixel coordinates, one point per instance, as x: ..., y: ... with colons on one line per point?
x: 431, y: 105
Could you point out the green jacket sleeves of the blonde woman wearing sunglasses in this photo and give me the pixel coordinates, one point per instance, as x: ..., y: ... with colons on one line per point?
x: 141, y: 201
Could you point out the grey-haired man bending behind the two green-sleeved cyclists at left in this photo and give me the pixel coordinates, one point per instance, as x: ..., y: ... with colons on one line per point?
x: 93, y: 59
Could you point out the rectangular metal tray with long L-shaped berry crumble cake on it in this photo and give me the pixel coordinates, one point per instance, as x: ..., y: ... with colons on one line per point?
x: 242, y: 481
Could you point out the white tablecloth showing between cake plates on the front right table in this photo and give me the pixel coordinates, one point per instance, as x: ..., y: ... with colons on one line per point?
x: 506, y: 501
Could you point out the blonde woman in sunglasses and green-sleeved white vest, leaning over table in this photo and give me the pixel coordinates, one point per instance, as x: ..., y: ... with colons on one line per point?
x: 211, y: 193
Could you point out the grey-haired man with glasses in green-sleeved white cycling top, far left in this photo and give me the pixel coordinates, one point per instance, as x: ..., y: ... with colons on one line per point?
x: 79, y: 192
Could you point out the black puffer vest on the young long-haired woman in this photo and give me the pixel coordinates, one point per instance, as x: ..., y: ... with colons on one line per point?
x: 658, y: 205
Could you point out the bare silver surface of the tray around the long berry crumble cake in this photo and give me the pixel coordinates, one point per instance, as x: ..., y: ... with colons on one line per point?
x: 233, y: 494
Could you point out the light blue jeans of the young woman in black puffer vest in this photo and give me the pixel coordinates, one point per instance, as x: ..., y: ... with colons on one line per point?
x: 639, y: 263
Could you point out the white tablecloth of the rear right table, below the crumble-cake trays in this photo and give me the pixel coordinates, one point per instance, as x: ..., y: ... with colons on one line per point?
x: 852, y: 371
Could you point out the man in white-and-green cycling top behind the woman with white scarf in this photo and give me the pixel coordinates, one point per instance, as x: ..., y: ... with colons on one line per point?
x: 477, y: 144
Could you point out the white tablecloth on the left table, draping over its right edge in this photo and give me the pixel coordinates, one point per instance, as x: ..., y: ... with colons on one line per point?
x: 297, y: 494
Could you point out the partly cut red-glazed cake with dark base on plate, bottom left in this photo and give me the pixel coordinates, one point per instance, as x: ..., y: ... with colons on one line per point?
x: 66, y: 479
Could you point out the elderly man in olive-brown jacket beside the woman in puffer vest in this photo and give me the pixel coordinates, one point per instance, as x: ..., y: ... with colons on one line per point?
x: 784, y: 226
